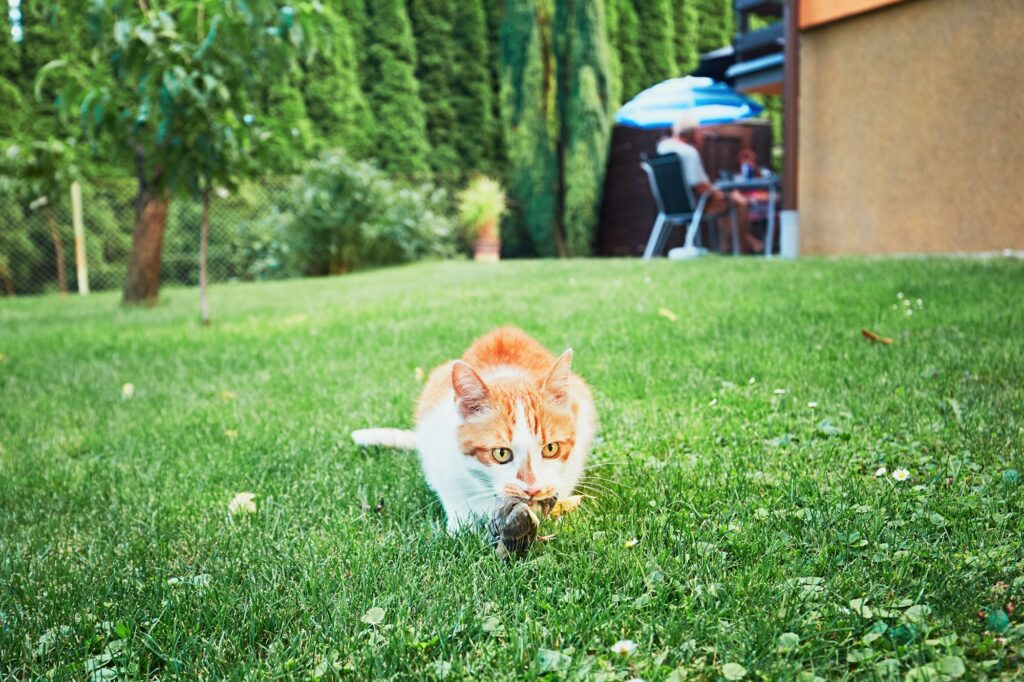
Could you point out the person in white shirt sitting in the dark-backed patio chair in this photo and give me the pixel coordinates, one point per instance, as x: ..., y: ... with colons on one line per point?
x: 685, y: 143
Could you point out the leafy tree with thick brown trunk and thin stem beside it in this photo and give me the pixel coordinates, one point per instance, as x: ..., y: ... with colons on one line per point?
x: 183, y: 104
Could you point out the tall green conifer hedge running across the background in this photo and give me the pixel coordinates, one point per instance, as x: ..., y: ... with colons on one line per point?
x: 433, y: 92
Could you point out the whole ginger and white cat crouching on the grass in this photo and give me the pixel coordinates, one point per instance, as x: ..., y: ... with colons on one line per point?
x: 507, y: 420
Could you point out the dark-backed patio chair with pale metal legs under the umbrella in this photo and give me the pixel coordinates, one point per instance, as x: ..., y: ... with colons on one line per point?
x: 676, y: 205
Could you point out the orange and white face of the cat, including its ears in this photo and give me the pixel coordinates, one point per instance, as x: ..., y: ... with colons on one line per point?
x: 522, y: 431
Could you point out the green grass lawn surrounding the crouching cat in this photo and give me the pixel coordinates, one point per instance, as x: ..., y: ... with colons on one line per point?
x: 740, y: 448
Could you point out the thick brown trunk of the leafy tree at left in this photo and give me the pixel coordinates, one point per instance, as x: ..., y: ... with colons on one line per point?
x: 143, y: 285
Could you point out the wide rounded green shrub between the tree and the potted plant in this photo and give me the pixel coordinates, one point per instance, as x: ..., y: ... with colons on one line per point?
x: 352, y: 216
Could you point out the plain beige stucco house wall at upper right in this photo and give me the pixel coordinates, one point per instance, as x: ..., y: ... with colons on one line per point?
x: 912, y: 130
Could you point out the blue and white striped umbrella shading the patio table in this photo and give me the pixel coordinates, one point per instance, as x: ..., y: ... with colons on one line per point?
x: 661, y: 105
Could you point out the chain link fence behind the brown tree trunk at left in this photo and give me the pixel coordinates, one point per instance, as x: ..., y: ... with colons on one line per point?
x: 38, y: 249
